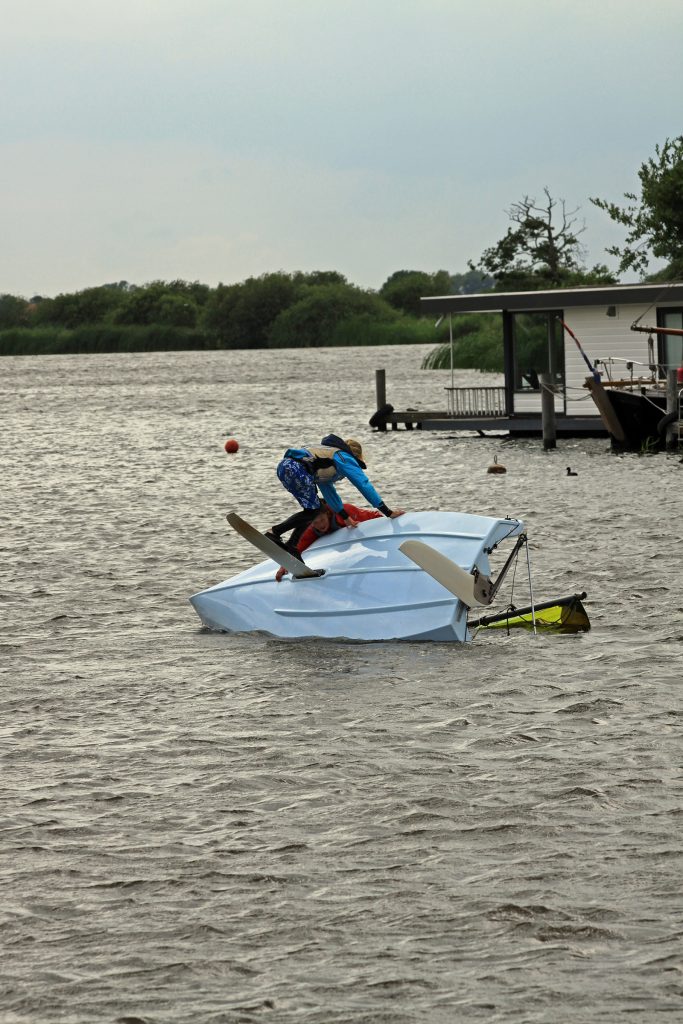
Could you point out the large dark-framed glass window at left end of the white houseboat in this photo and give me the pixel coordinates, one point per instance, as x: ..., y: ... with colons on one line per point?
x: 539, y: 349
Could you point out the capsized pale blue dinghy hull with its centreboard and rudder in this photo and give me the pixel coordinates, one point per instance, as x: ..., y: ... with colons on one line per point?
x: 413, y: 578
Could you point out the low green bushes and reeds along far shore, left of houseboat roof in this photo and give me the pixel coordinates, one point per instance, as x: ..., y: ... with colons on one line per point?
x: 276, y: 311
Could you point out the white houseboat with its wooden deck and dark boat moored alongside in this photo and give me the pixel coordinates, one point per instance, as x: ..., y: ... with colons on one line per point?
x: 579, y: 343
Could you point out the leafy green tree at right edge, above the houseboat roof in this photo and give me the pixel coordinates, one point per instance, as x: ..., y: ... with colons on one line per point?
x: 654, y: 220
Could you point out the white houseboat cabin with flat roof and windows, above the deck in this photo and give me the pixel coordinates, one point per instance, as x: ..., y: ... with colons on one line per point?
x: 535, y: 342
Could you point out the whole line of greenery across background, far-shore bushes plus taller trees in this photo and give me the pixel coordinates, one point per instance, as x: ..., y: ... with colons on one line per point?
x: 541, y: 249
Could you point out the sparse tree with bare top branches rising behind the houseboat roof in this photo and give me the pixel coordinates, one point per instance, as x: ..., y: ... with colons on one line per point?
x: 543, y: 251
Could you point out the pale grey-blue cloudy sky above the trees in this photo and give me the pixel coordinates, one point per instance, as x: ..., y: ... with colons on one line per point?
x: 214, y: 140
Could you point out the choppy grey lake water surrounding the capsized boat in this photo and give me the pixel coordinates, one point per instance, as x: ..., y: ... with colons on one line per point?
x: 199, y: 828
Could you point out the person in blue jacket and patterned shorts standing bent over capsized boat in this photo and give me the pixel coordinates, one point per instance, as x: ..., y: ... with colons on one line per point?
x: 305, y: 472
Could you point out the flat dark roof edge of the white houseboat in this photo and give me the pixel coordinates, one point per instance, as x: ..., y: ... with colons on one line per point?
x: 558, y: 298
